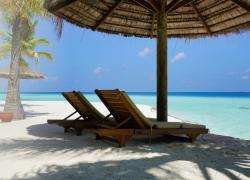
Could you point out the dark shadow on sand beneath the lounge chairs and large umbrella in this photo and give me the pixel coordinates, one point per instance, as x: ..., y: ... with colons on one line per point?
x: 224, y: 155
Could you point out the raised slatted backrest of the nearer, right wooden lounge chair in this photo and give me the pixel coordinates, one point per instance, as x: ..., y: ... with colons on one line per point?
x: 122, y: 107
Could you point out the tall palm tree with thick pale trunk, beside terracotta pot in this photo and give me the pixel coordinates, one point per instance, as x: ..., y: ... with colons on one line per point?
x: 19, y: 15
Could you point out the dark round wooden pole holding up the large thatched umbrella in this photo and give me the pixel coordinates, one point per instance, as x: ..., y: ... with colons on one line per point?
x: 162, y: 62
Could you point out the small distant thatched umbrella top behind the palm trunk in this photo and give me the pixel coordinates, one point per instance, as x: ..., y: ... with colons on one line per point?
x: 25, y: 73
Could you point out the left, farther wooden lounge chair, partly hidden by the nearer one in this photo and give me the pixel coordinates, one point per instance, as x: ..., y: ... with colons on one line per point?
x: 89, y: 116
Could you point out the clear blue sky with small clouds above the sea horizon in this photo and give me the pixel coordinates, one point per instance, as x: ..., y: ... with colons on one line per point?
x: 86, y: 60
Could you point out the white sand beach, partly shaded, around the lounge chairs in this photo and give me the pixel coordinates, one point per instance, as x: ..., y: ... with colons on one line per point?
x: 31, y: 149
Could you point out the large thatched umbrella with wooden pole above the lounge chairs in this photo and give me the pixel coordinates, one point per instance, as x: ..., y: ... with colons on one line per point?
x: 157, y: 18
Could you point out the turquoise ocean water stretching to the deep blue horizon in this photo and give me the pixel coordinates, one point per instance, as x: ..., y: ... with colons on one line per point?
x: 223, y: 113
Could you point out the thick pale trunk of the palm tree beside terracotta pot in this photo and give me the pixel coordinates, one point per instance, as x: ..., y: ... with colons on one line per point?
x: 20, y: 31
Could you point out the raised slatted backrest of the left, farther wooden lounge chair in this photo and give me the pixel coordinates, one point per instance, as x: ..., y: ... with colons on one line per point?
x: 82, y: 105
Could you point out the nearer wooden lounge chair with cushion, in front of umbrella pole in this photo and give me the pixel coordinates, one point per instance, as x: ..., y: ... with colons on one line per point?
x: 135, y: 123
